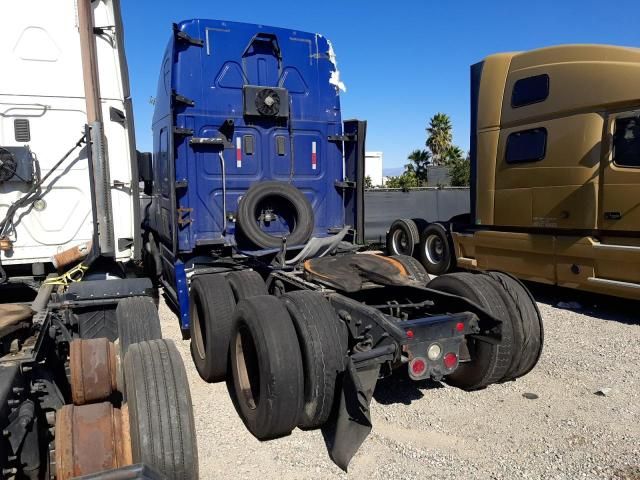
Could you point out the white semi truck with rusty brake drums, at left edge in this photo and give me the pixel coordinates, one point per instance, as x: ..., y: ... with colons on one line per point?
x: 87, y: 385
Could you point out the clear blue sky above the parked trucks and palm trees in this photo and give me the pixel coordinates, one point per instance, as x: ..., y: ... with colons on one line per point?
x: 401, y: 61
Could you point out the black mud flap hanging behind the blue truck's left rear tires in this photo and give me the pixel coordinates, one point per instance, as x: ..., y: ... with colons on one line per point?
x: 351, y: 425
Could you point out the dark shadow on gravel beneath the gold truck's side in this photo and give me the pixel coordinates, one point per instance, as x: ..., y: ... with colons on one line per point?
x: 604, y: 307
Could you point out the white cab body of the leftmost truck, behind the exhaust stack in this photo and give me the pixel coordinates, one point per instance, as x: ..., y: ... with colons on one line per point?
x: 42, y: 116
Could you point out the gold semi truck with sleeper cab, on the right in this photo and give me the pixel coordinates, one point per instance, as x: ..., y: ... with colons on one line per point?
x: 555, y: 173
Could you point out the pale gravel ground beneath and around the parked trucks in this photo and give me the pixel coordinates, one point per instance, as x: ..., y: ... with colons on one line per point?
x: 429, y: 430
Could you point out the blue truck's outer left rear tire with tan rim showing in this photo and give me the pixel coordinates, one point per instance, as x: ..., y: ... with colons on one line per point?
x: 266, y: 381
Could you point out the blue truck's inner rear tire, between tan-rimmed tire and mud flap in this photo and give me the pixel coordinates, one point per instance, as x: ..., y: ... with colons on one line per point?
x: 323, y: 347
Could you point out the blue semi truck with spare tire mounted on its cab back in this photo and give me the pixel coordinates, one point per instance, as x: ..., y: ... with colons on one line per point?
x: 255, y: 230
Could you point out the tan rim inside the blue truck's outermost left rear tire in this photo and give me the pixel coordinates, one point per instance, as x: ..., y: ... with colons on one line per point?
x: 247, y: 369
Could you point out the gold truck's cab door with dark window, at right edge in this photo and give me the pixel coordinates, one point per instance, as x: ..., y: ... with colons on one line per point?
x: 620, y: 178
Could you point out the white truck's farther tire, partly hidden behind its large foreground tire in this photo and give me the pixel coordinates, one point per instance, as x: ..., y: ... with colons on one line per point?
x: 138, y: 321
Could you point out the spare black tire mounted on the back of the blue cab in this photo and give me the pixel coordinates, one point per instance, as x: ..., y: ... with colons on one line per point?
x: 283, y: 199
